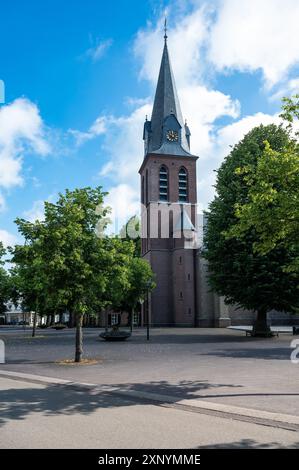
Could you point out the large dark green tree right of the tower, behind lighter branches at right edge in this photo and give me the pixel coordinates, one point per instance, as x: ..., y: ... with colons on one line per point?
x: 245, y: 277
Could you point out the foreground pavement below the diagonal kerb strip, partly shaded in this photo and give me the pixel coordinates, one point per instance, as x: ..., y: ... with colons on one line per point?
x: 54, y: 414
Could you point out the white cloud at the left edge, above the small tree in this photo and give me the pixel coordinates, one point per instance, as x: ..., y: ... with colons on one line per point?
x: 21, y: 130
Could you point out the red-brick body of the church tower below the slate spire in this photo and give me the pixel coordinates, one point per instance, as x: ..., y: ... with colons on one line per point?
x: 173, y: 300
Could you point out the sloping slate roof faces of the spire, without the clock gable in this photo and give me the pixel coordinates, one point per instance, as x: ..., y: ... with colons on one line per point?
x: 166, y: 103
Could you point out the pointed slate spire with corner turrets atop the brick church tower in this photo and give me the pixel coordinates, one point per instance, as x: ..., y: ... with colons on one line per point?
x: 166, y: 115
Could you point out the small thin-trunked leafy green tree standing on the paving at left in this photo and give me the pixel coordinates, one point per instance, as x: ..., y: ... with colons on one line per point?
x: 64, y: 263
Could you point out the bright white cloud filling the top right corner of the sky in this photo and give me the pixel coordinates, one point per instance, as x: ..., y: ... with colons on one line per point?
x: 249, y: 35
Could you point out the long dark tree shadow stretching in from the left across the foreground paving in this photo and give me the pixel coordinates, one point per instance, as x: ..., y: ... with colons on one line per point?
x: 17, y: 403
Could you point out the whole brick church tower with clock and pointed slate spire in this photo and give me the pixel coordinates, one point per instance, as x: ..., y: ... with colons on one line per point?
x: 168, y: 196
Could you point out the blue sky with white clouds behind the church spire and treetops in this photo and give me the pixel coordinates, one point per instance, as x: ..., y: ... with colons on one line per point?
x: 80, y: 77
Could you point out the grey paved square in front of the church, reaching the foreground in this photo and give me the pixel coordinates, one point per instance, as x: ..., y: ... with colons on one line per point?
x: 216, y: 366
